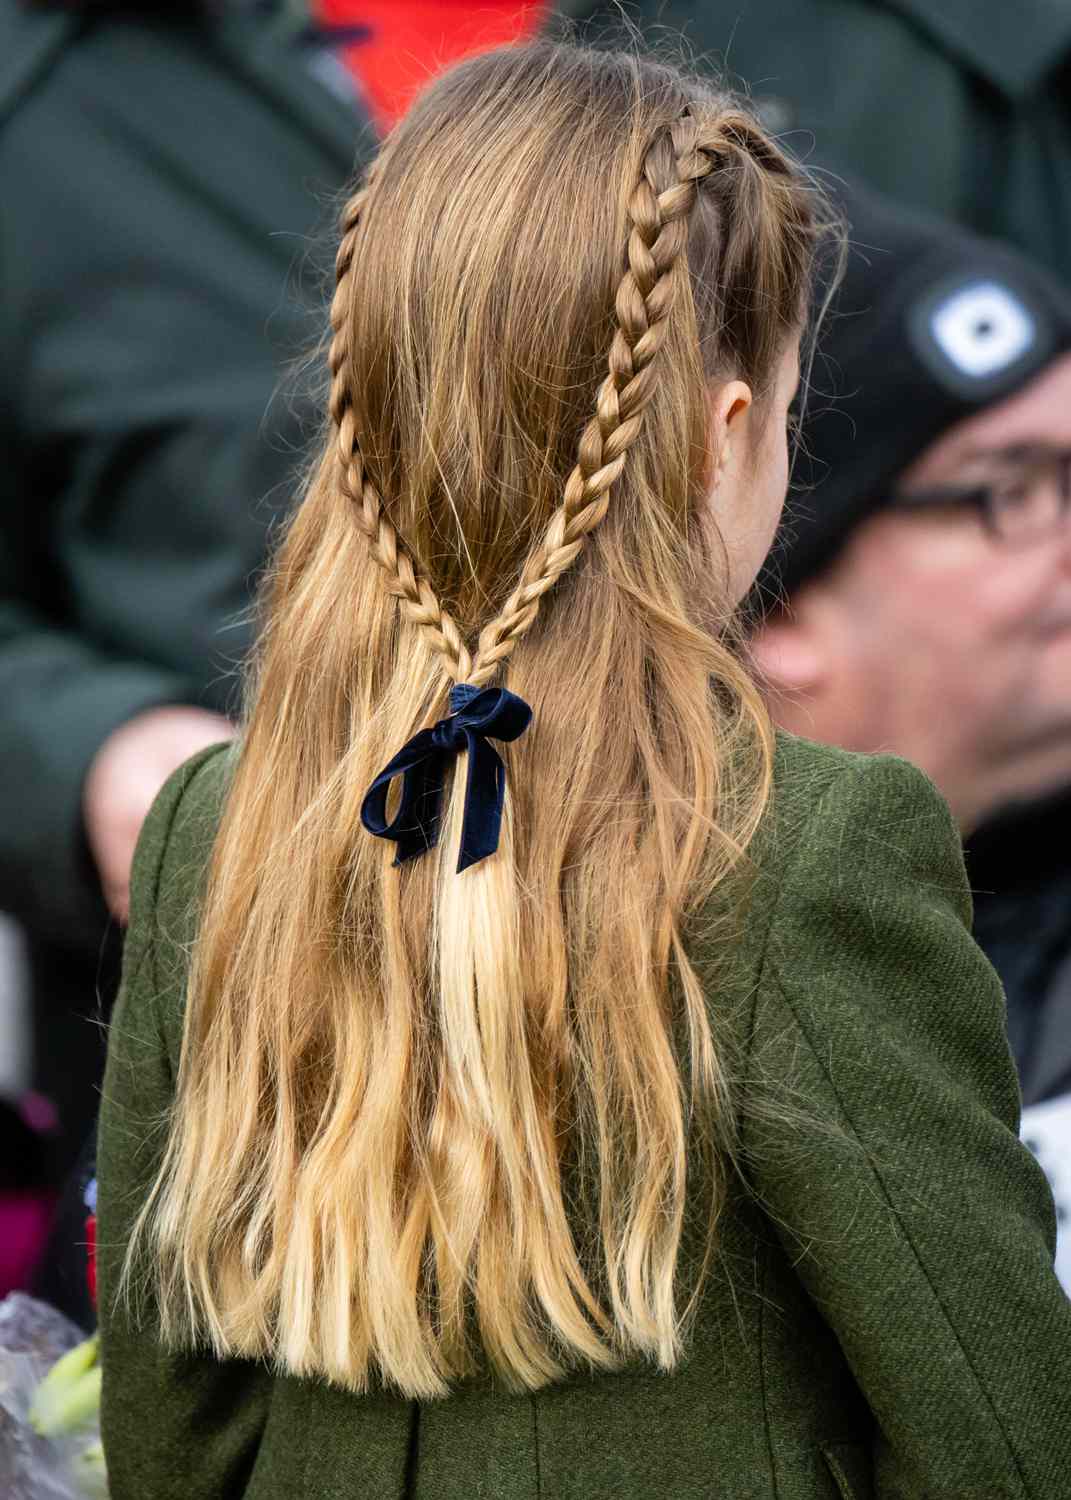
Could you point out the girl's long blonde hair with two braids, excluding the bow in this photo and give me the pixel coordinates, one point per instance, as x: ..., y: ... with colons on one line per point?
x: 428, y: 1118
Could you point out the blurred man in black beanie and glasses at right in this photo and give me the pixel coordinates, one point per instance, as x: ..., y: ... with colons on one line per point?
x: 926, y: 575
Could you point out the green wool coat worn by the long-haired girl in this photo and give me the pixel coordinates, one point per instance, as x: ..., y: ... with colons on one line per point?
x: 883, y: 1319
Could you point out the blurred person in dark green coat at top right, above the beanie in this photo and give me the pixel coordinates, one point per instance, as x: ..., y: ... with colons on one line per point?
x: 958, y: 107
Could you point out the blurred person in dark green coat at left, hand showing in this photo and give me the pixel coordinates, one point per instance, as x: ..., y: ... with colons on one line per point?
x: 161, y: 173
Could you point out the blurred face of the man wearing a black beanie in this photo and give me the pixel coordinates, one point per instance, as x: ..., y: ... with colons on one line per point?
x: 950, y: 646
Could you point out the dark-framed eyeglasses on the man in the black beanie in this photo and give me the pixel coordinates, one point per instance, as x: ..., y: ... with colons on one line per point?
x: 1027, y: 503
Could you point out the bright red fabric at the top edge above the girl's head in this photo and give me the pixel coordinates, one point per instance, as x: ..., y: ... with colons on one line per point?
x: 413, y: 40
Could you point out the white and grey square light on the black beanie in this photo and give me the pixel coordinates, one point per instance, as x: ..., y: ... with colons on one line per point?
x: 979, y: 335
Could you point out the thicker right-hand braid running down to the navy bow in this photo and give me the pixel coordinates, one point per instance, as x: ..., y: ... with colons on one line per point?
x: 644, y: 301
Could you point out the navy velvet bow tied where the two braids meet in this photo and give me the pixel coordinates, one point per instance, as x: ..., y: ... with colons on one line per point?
x: 476, y: 715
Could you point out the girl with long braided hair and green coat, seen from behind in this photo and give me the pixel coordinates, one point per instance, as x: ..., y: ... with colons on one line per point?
x: 557, y: 1087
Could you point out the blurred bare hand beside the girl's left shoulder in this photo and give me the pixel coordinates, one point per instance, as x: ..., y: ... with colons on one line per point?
x: 124, y: 779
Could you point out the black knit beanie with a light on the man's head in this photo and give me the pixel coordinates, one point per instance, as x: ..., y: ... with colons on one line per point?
x: 929, y: 326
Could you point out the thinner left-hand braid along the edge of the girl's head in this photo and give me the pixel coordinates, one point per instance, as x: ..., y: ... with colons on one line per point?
x: 415, y: 595
